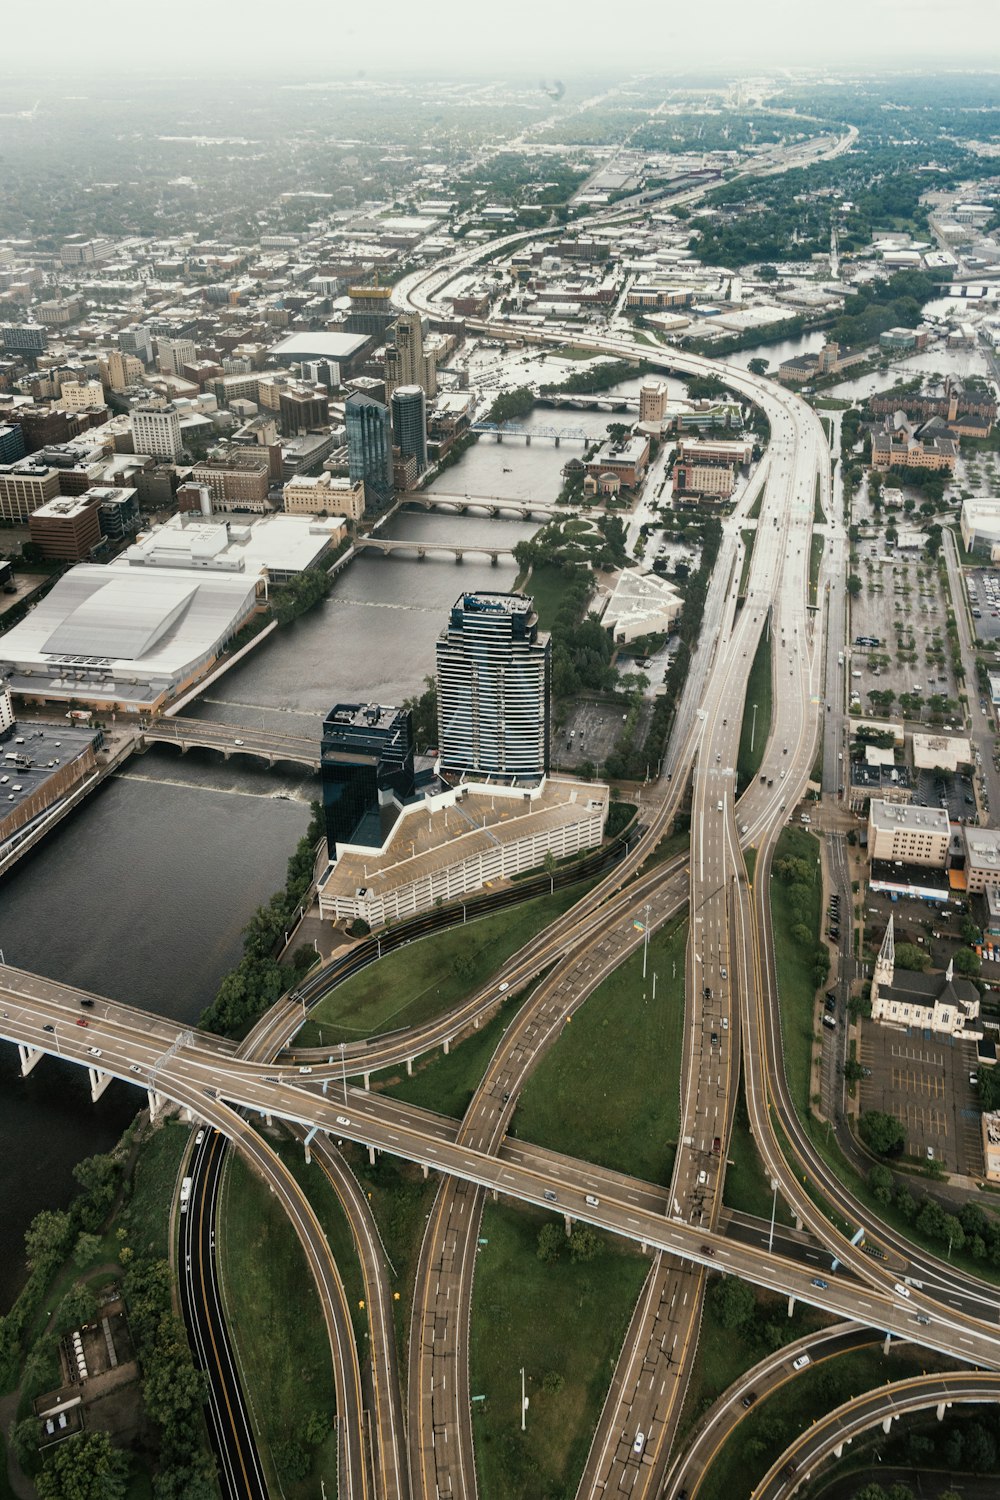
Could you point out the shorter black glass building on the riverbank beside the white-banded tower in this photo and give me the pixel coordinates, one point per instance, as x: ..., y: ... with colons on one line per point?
x: 367, y: 770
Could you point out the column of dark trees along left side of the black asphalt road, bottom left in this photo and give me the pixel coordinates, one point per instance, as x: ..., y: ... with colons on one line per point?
x: 173, y: 1391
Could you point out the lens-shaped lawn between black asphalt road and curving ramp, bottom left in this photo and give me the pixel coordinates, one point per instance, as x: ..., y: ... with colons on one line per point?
x: 278, y: 1328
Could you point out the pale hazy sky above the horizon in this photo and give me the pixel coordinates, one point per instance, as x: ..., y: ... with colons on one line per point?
x: 531, y: 37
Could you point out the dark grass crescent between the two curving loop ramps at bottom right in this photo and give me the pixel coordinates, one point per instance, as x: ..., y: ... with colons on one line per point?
x: 779, y: 1418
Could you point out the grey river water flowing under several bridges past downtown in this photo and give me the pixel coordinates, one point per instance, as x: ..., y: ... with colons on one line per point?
x: 143, y: 892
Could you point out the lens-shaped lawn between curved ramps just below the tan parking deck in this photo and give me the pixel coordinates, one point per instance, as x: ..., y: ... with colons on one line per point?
x: 431, y: 976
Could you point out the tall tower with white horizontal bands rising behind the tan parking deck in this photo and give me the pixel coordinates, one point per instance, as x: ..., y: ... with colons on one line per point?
x: 494, y: 668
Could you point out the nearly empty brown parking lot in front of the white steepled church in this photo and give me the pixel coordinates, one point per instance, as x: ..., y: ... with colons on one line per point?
x: 923, y: 1081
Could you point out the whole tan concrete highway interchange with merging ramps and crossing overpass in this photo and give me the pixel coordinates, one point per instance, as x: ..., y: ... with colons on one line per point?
x: 731, y: 1019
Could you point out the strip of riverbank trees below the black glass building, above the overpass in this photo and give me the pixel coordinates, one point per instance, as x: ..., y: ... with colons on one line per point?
x: 259, y: 980
